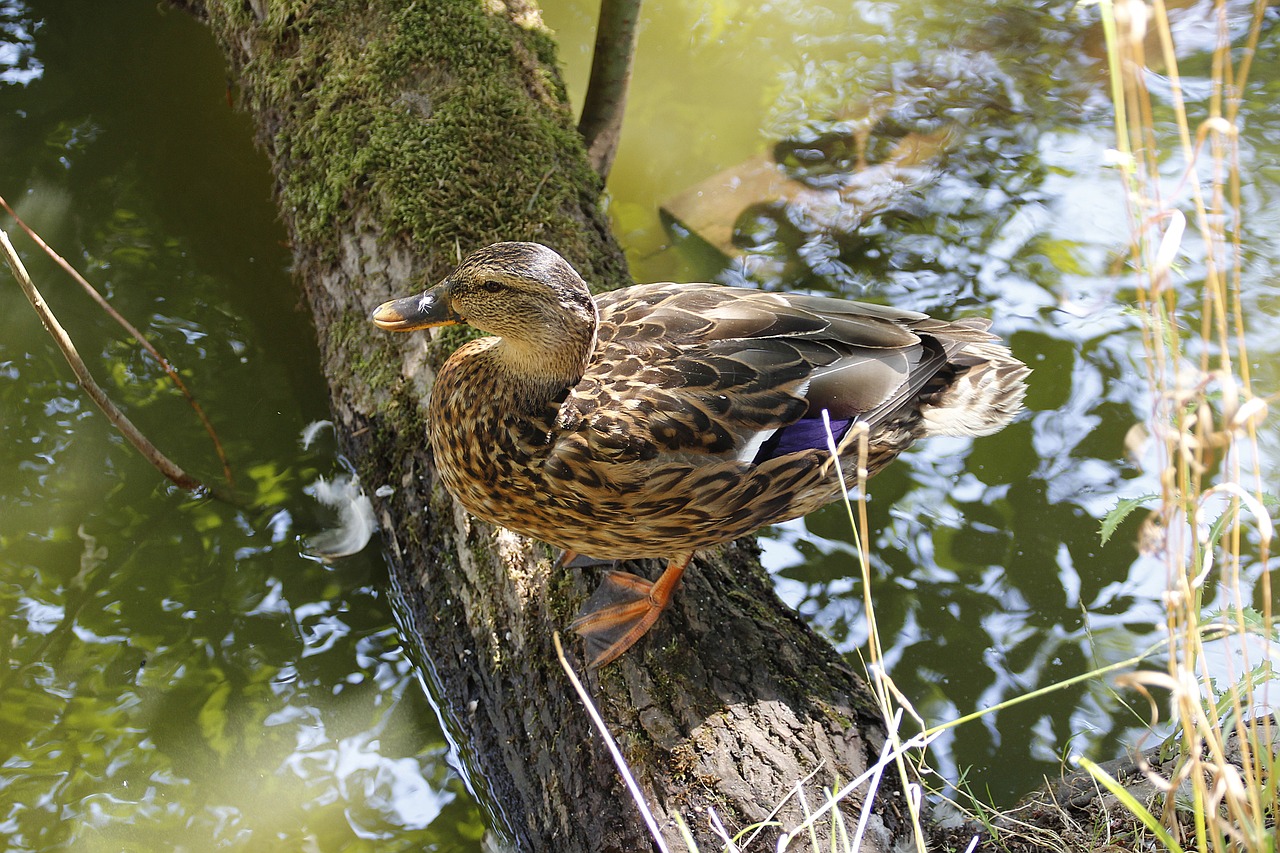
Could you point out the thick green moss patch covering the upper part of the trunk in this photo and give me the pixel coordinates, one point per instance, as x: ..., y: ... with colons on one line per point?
x: 424, y: 108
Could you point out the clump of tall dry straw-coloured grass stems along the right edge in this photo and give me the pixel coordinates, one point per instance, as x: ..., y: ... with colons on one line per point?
x: 1205, y: 419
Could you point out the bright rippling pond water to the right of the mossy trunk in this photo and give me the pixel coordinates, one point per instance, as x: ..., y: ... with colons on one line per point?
x: 990, y: 576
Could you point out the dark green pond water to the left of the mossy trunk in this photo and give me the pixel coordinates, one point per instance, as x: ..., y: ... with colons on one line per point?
x: 179, y: 674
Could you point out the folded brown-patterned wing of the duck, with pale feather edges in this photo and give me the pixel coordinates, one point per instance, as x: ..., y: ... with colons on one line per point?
x: 698, y: 370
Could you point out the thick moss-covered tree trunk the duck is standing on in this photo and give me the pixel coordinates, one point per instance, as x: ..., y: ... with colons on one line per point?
x: 404, y: 135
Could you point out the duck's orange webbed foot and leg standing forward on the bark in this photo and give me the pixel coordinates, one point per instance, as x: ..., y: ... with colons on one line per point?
x: 624, y: 609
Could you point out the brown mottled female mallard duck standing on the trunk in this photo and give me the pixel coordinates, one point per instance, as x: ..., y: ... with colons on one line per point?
x: 660, y: 419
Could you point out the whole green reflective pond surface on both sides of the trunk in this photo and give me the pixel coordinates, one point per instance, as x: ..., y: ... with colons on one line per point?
x: 181, y: 674
